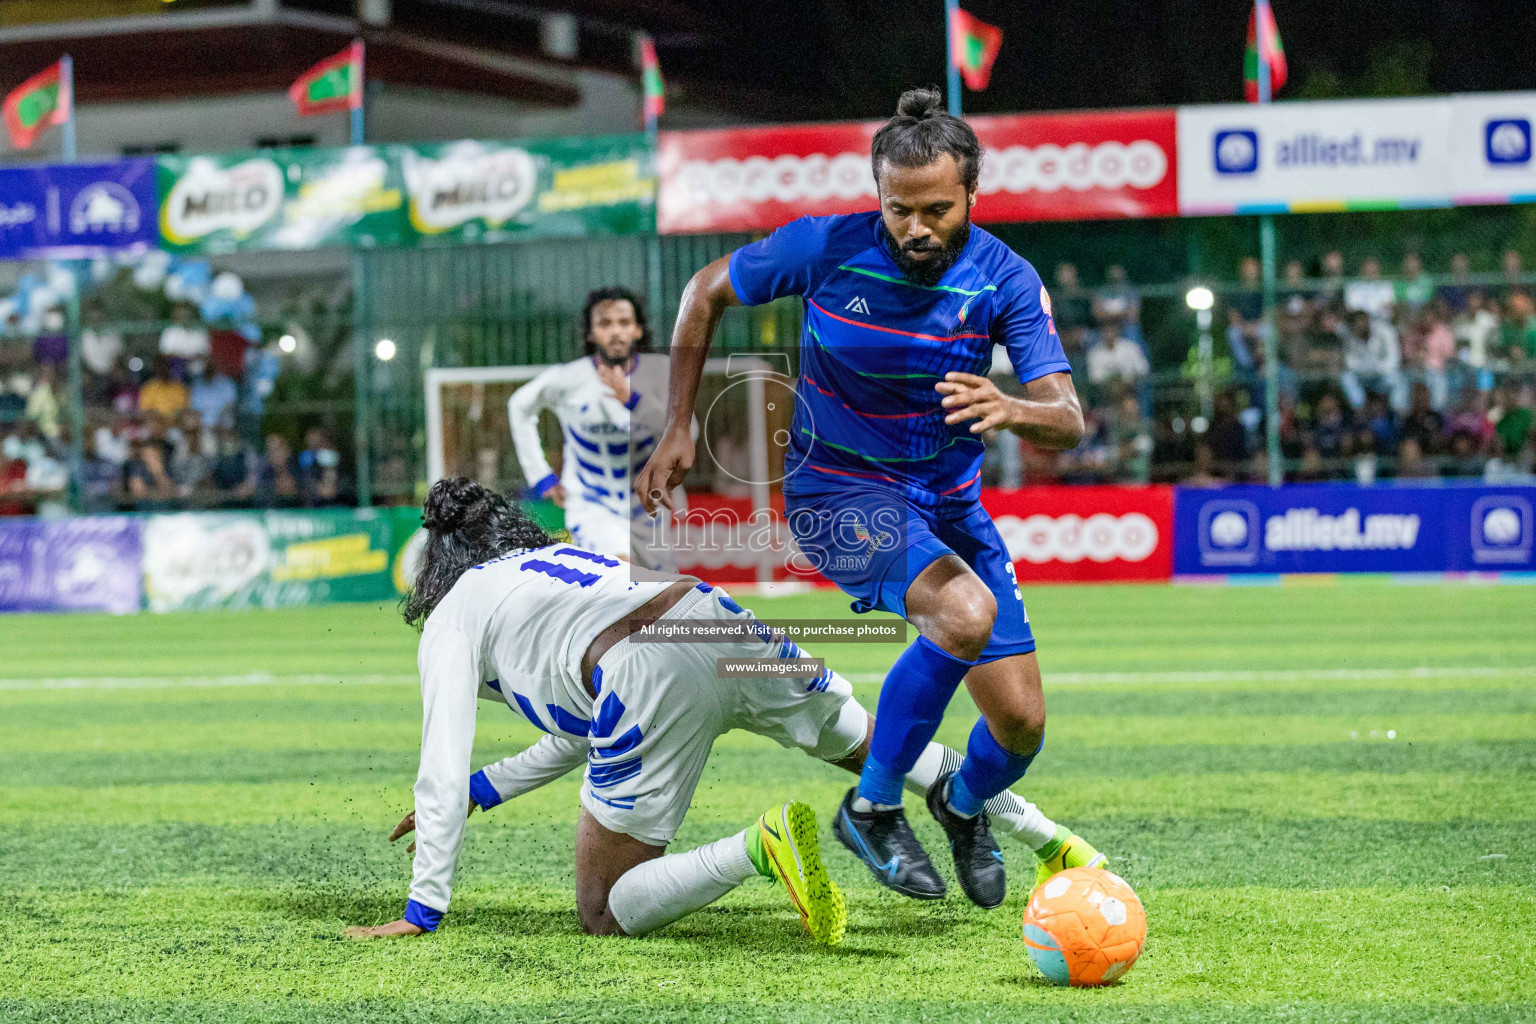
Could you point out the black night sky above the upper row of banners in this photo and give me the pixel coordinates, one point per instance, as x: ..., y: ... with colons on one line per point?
x: 850, y: 59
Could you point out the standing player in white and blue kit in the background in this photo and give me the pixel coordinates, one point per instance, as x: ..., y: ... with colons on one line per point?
x: 612, y: 411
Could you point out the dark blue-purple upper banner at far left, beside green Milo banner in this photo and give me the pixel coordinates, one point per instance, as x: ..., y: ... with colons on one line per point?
x: 78, y: 211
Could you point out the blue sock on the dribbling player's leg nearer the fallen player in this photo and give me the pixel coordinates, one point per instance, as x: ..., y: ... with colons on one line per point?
x: 912, y: 705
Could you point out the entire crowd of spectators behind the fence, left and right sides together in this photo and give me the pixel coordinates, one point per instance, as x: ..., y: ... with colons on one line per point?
x: 1402, y: 377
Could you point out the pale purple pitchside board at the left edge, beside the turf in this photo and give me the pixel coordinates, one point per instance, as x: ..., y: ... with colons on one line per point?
x: 90, y: 564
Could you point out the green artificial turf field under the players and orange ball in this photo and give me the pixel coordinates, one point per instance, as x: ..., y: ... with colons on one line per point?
x: 187, y: 844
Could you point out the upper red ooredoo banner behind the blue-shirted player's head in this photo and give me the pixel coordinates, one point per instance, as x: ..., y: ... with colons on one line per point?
x: 1038, y: 167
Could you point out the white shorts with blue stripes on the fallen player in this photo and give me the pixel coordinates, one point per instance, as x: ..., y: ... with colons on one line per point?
x: 661, y: 707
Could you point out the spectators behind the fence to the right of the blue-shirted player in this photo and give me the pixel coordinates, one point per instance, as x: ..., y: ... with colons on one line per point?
x: 1409, y: 377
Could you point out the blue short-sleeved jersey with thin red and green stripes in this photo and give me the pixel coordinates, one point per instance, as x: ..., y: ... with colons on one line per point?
x: 875, y: 345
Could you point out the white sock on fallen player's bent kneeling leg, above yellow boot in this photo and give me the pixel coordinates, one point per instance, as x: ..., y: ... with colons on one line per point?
x: 661, y: 891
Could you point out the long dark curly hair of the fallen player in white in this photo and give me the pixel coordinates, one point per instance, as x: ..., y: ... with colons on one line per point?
x: 466, y: 524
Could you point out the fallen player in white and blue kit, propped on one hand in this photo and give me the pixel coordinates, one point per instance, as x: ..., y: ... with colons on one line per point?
x: 551, y: 632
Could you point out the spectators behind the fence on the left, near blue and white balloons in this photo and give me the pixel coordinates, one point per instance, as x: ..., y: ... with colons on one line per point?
x: 170, y: 418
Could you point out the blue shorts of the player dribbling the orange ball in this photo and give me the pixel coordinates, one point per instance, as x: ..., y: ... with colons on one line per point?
x: 873, y: 543
